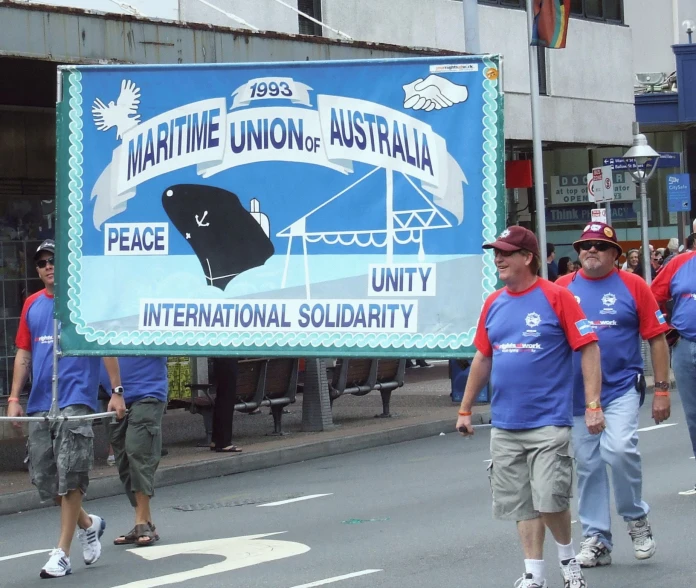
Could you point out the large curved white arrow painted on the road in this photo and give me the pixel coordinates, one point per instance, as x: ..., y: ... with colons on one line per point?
x: 238, y: 552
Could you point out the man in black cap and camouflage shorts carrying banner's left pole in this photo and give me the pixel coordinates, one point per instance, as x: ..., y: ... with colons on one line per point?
x: 60, y: 453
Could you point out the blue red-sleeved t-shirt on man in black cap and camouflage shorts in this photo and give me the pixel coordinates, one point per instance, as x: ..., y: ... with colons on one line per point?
x: 77, y: 376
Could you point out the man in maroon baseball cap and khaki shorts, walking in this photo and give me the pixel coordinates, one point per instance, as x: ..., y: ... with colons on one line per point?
x: 525, y: 340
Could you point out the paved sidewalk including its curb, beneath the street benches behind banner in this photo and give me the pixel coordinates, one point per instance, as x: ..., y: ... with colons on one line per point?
x: 421, y: 408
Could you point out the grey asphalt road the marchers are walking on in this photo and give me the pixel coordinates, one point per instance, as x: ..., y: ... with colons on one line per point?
x: 413, y: 515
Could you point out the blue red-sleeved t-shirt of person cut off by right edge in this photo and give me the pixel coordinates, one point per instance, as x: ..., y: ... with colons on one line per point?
x: 677, y: 280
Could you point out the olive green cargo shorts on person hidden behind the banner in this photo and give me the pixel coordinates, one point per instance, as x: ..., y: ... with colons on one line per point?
x: 137, y: 444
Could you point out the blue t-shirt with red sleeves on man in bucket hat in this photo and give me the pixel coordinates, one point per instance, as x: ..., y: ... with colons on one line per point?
x: 621, y: 309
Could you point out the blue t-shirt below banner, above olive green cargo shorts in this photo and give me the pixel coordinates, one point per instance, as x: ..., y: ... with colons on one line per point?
x: 141, y: 377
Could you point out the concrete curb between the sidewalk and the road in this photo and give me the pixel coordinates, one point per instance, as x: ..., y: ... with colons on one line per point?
x: 107, y: 487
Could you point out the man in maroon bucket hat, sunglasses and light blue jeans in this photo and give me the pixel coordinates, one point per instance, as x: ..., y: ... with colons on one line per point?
x: 621, y: 309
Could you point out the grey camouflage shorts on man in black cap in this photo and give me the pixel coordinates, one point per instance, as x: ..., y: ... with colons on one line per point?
x: 61, y: 453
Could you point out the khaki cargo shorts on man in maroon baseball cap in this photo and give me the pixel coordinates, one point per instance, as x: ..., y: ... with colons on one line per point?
x: 530, y: 472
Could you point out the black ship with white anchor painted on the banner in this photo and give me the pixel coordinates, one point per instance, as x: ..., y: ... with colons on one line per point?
x: 226, y: 238
